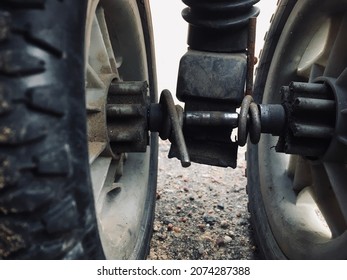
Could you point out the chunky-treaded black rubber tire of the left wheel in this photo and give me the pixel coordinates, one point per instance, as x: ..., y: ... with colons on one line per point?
x: 46, y: 199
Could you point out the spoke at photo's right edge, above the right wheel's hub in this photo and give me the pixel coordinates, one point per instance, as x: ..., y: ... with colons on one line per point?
x: 337, y: 60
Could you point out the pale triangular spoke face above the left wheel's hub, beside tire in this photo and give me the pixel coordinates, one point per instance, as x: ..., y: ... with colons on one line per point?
x: 98, y: 55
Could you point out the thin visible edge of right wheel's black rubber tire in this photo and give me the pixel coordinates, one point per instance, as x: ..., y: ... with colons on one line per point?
x: 267, y: 246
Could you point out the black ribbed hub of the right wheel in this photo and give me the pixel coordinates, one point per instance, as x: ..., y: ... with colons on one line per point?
x: 310, y: 119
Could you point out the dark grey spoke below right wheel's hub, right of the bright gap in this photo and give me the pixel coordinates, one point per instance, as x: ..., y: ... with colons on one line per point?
x: 326, y: 190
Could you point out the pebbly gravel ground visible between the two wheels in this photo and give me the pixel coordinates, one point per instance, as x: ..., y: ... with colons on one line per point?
x: 201, y: 212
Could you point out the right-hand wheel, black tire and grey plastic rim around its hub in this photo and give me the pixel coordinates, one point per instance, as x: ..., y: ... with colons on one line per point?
x: 298, y: 204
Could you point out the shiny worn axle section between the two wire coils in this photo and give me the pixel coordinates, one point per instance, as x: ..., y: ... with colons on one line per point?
x: 211, y: 118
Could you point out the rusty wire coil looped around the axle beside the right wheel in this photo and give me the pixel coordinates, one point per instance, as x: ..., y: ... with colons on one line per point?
x: 249, y: 121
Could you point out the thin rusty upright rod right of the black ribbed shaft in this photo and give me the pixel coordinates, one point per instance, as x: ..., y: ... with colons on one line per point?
x: 251, y: 54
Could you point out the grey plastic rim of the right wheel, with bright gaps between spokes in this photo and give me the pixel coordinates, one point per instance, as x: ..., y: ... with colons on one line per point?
x: 295, y: 220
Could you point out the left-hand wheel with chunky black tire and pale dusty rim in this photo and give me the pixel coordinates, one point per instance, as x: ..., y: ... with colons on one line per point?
x: 66, y: 191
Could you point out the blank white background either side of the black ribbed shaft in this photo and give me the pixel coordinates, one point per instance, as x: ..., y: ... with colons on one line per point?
x: 170, y: 33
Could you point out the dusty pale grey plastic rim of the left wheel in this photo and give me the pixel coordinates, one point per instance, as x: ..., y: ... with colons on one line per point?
x: 116, y: 51
